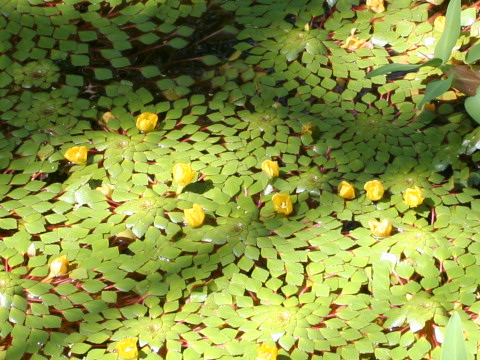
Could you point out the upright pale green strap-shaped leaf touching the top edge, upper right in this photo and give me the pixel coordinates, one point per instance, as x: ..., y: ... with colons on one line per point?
x: 450, y: 35
